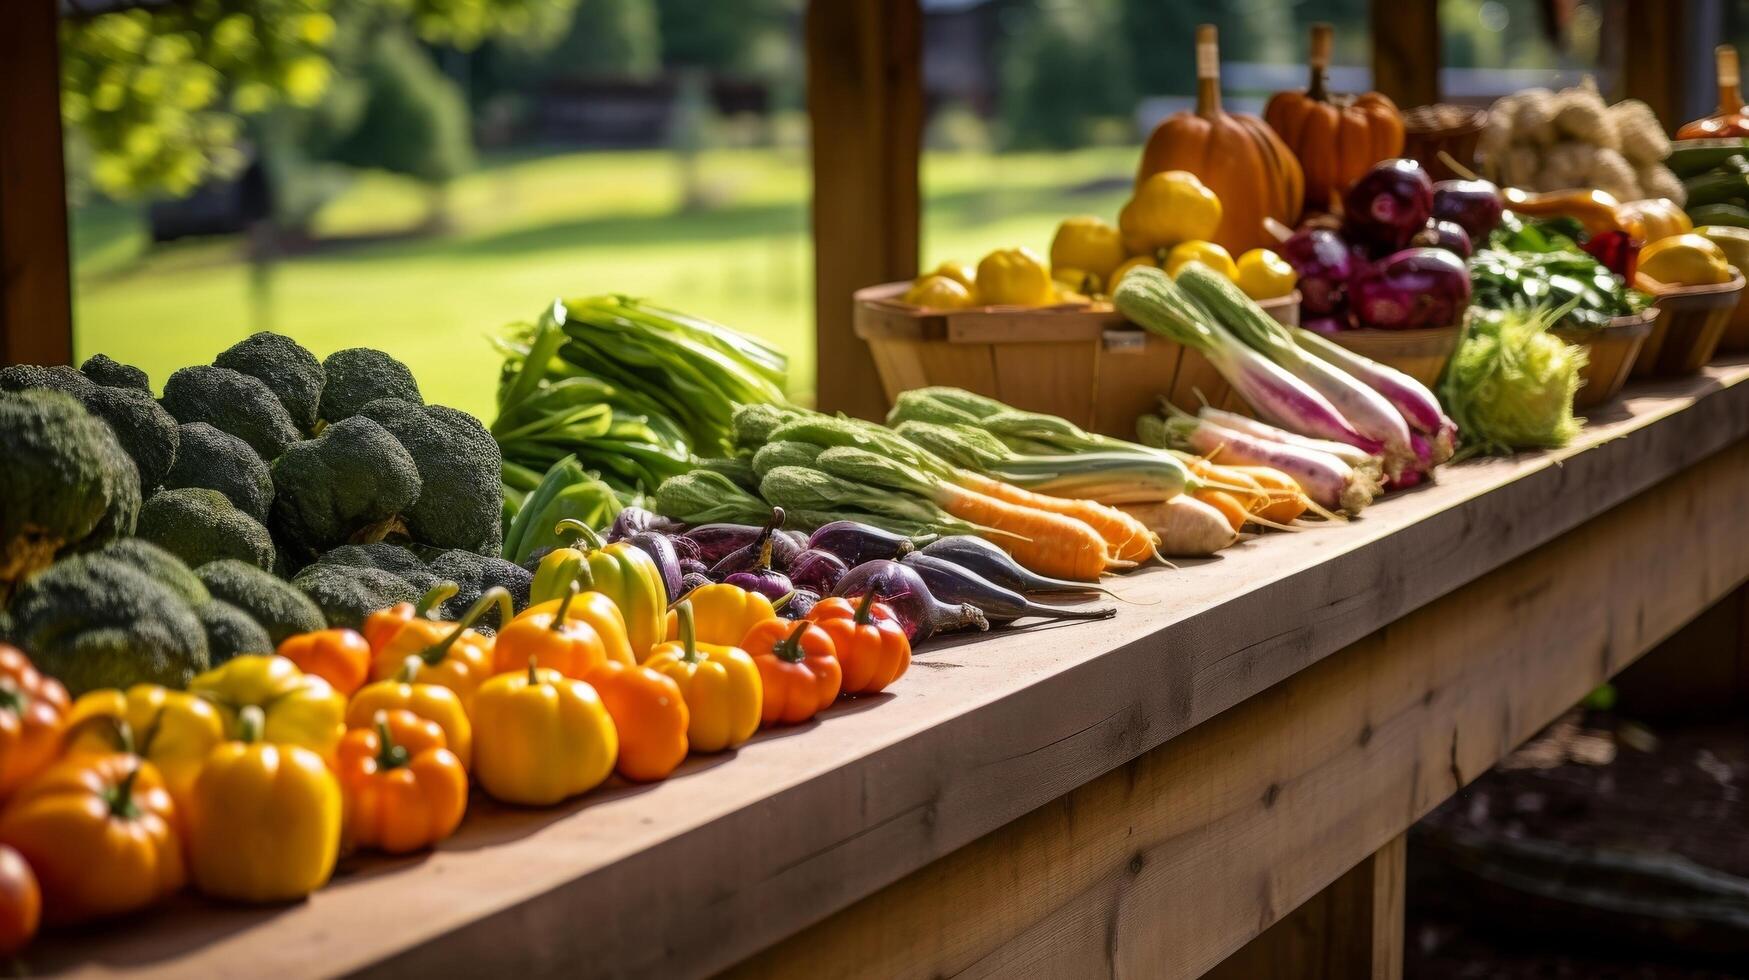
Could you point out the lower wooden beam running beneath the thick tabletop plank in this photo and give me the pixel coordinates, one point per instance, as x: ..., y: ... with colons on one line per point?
x: 1171, y: 864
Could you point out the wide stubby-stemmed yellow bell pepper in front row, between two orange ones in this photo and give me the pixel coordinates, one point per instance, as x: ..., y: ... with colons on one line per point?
x: 541, y: 738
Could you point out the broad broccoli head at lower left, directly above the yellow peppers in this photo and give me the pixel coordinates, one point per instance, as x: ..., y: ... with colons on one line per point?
x: 99, y: 622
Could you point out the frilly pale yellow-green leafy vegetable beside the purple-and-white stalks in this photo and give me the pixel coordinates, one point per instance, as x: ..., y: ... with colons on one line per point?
x: 1510, y: 384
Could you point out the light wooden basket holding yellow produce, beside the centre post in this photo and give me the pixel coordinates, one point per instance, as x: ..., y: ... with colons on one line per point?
x: 1084, y: 363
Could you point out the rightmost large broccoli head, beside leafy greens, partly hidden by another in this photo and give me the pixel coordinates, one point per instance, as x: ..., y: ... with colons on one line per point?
x: 461, y: 470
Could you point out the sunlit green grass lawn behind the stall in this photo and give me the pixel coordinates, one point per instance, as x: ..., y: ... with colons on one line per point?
x: 529, y: 230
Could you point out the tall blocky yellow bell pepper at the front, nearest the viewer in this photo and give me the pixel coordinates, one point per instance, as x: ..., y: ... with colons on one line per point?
x: 267, y: 818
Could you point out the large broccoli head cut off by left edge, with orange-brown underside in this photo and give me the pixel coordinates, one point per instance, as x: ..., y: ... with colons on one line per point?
x: 64, y: 484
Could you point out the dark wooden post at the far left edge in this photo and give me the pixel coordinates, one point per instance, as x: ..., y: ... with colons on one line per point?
x: 36, y: 293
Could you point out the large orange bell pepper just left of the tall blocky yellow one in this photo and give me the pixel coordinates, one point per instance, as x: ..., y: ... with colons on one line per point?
x: 102, y: 836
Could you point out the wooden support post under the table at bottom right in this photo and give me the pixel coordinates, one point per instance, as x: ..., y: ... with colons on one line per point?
x: 1353, y: 928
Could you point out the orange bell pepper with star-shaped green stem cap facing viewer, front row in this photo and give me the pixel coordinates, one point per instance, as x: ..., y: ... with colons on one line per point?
x: 403, y: 788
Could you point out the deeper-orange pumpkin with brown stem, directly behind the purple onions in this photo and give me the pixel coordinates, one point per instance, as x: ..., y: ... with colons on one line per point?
x: 1335, y: 137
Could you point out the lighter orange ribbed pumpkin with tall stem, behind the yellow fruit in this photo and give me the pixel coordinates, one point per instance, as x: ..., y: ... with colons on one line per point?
x: 1237, y: 157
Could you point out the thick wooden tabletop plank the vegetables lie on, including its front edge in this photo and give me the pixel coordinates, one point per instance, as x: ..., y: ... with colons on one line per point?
x: 741, y: 851
